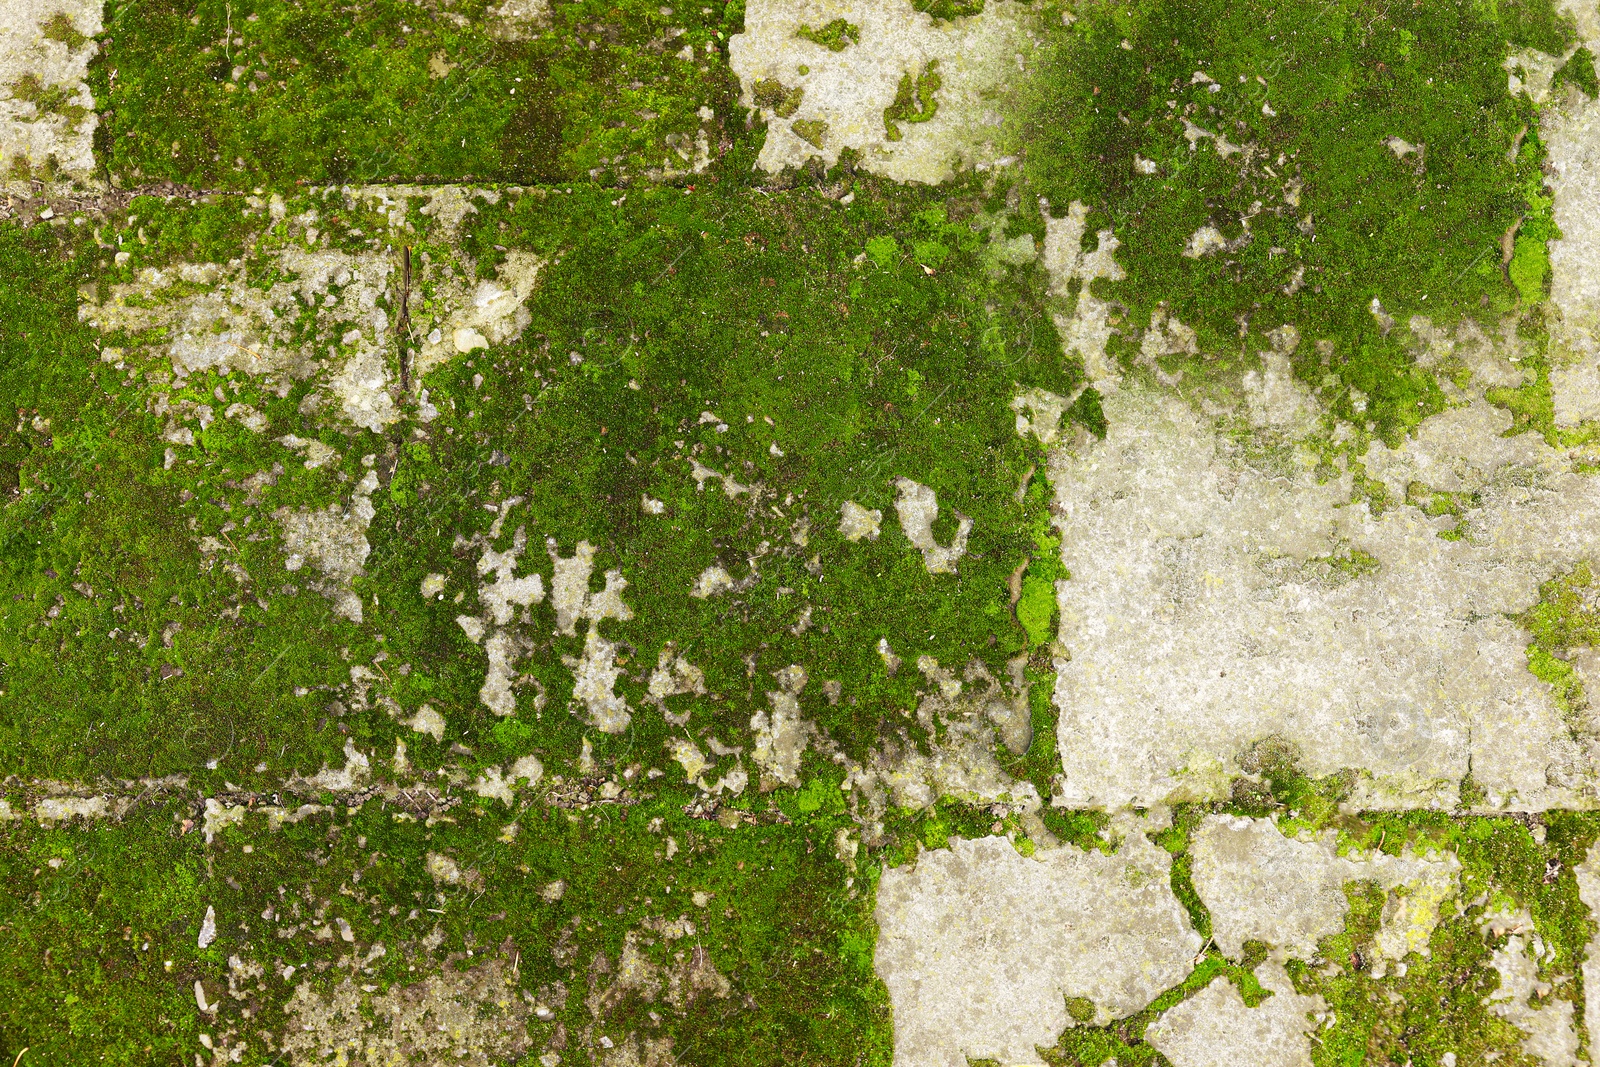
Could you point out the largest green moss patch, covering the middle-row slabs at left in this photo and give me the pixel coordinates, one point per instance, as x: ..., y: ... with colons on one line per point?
x: 825, y: 350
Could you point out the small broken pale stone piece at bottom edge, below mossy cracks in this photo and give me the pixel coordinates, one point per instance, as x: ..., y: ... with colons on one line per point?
x: 1217, y: 1029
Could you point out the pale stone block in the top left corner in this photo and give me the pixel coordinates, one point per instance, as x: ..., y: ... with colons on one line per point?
x: 30, y: 137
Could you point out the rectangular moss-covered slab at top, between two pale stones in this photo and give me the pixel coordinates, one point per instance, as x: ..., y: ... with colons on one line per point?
x: 310, y: 94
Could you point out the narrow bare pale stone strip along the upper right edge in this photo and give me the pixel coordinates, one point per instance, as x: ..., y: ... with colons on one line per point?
x: 1572, y: 137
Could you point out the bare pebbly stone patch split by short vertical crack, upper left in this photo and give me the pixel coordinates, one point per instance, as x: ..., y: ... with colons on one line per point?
x: 322, y: 306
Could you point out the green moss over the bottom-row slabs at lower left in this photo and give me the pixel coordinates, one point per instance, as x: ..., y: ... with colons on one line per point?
x: 105, y: 941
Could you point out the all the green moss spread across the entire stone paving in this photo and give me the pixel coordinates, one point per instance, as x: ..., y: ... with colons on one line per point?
x: 838, y: 350
